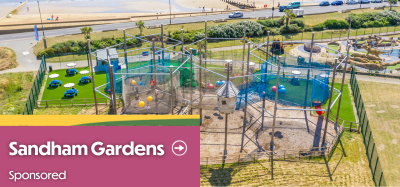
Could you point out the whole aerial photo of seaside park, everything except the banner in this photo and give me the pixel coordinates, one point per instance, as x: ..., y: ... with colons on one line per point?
x: 288, y: 93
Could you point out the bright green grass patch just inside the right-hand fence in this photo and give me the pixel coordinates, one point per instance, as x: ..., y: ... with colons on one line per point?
x: 346, y: 108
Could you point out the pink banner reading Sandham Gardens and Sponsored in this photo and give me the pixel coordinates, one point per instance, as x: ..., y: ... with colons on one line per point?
x: 72, y: 156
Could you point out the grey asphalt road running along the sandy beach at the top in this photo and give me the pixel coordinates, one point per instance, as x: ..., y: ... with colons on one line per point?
x: 263, y: 13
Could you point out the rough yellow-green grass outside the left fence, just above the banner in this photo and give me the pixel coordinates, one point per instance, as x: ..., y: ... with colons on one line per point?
x: 14, y: 91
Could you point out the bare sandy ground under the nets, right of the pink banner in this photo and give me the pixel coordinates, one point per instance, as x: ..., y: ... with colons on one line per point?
x: 295, y: 132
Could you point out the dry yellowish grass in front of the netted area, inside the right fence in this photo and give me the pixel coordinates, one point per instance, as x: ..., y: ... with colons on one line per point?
x: 352, y: 170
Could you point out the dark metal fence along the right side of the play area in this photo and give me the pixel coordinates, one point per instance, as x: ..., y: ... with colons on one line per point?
x: 370, y: 147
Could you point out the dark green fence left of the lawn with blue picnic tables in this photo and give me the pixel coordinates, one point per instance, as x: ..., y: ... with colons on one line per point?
x: 35, y: 90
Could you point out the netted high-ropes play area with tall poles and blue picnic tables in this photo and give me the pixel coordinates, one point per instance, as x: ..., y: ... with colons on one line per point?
x: 269, y: 100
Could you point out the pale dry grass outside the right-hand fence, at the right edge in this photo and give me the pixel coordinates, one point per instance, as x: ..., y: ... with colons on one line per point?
x: 382, y: 105
